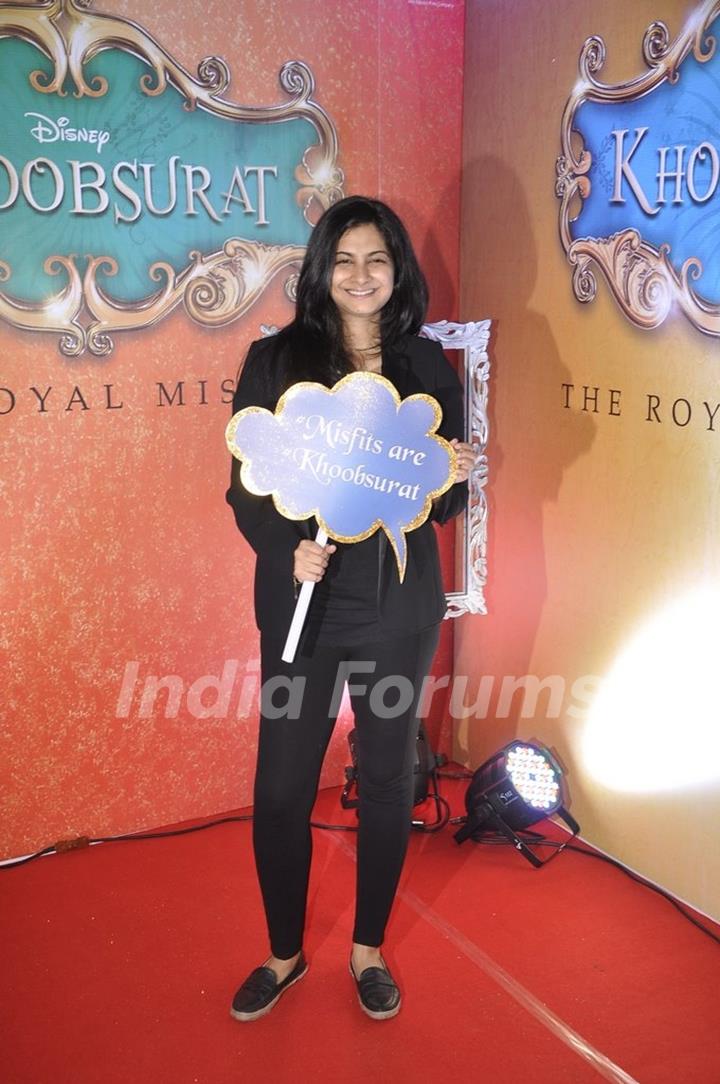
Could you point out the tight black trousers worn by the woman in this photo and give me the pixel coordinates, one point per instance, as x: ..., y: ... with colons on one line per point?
x: 291, y: 752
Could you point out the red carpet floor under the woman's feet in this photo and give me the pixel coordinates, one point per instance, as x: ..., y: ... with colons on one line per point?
x: 120, y: 964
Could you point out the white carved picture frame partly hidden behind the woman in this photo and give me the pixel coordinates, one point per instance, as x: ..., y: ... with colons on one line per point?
x: 472, y: 339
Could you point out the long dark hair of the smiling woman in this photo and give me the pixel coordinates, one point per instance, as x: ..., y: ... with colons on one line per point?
x: 313, y: 347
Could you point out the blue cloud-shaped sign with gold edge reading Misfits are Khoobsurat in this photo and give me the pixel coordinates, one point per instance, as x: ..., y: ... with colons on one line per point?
x: 355, y: 457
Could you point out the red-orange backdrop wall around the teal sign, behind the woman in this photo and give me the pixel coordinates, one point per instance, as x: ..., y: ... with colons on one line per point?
x: 122, y: 558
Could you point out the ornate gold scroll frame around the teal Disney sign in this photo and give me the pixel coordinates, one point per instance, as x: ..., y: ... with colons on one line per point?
x: 214, y: 289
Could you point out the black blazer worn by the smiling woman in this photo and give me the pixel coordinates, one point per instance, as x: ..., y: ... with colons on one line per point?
x: 414, y: 366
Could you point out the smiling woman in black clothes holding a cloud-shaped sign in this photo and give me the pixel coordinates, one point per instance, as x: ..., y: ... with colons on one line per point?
x: 362, y: 300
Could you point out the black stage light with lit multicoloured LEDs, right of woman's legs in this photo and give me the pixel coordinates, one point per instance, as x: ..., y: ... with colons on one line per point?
x: 519, y: 786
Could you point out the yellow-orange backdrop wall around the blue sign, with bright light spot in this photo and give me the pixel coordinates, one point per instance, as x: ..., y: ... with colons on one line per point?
x: 603, y: 523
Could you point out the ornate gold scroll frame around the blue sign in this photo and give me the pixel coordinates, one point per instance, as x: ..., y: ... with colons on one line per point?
x: 640, y: 276
